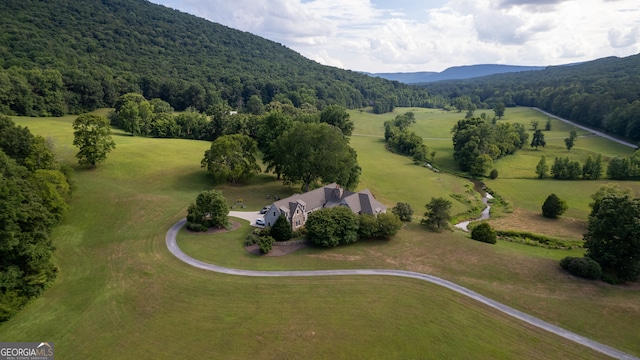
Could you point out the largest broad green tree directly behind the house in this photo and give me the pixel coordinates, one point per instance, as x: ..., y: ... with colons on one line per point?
x: 311, y: 152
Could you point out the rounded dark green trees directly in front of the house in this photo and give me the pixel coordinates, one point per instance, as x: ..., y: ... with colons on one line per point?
x: 331, y: 227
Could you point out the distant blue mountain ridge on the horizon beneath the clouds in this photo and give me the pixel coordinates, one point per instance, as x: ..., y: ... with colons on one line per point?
x: 454, y: 73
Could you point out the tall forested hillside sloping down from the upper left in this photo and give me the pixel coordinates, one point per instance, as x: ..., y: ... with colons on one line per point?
x: 60, y: 56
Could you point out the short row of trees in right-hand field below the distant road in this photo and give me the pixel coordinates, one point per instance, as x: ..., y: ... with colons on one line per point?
x: 564, y: 168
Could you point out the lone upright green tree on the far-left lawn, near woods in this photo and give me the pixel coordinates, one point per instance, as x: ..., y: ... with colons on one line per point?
x: 92, y: 136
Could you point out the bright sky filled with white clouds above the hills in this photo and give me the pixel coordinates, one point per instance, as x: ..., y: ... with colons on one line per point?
x: 432, y: 35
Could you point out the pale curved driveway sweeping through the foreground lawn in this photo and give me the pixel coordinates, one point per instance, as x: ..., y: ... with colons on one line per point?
x: 175, y: 250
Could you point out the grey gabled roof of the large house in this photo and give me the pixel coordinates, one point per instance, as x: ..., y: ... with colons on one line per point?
x: 330, y: 196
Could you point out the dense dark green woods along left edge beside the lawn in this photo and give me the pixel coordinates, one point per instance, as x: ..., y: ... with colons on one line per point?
x: 34, y: 190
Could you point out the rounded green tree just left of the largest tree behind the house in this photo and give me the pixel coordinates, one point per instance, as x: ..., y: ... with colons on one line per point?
x: 232, y: 157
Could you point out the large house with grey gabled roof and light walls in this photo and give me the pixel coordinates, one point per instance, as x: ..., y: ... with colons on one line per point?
x: 297, y: 207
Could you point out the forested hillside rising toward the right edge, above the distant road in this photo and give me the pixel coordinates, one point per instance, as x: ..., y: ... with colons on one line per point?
x: 604, y: 93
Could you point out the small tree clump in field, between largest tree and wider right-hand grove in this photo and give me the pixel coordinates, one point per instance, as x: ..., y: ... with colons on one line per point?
x: 401, y: 139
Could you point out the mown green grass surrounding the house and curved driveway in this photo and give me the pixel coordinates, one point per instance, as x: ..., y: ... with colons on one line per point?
x: 120, y: 294
